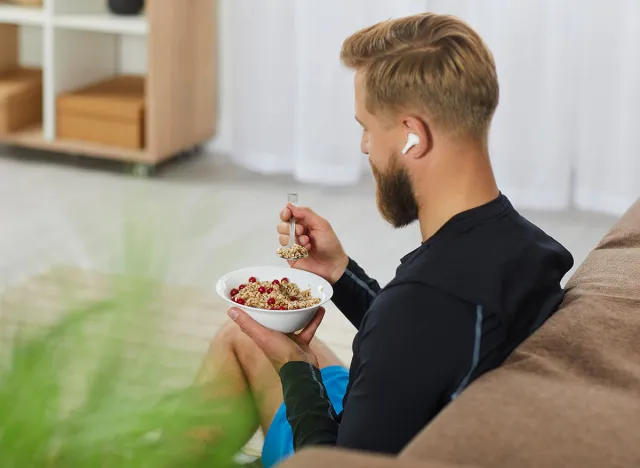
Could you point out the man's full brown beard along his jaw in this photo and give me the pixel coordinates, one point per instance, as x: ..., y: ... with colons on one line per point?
x: 394, y: 195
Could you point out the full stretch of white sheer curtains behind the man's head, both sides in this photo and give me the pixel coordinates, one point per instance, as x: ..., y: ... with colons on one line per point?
x: 570, y: 88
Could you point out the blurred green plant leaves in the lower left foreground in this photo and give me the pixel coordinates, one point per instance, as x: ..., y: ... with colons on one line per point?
x: 87, y: 390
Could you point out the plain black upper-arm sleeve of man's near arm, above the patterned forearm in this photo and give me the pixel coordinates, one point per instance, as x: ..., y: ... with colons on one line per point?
x: 416, y: 349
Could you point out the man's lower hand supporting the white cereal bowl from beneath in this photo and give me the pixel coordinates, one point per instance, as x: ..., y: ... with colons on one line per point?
x: 279, y: 347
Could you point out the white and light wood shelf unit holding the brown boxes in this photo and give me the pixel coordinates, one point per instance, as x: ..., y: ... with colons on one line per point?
x: 80, y: 45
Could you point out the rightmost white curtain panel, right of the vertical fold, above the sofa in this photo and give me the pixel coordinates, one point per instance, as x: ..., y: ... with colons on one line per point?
x: 608, y: 109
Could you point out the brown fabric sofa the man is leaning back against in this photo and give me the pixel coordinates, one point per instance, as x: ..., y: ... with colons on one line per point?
x: 568, y: 397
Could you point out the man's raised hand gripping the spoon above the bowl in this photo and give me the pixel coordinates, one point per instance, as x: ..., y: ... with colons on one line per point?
x: 327, y: 258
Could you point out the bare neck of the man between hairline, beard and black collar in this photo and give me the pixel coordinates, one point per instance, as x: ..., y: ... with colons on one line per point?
x: 457, y: 182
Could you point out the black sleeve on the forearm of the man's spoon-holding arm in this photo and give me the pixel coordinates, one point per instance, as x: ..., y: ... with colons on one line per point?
x: 354, y: 293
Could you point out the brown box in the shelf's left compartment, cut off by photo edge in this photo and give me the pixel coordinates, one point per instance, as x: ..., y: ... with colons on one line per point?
x: 20, y: 99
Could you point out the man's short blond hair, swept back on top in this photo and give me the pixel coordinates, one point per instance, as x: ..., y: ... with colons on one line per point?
x: 431, y: 63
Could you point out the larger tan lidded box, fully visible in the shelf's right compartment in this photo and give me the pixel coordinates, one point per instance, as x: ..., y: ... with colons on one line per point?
x: 111, y: 113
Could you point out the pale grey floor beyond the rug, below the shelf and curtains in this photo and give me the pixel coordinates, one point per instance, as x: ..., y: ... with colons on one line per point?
x: 205, y: 216
